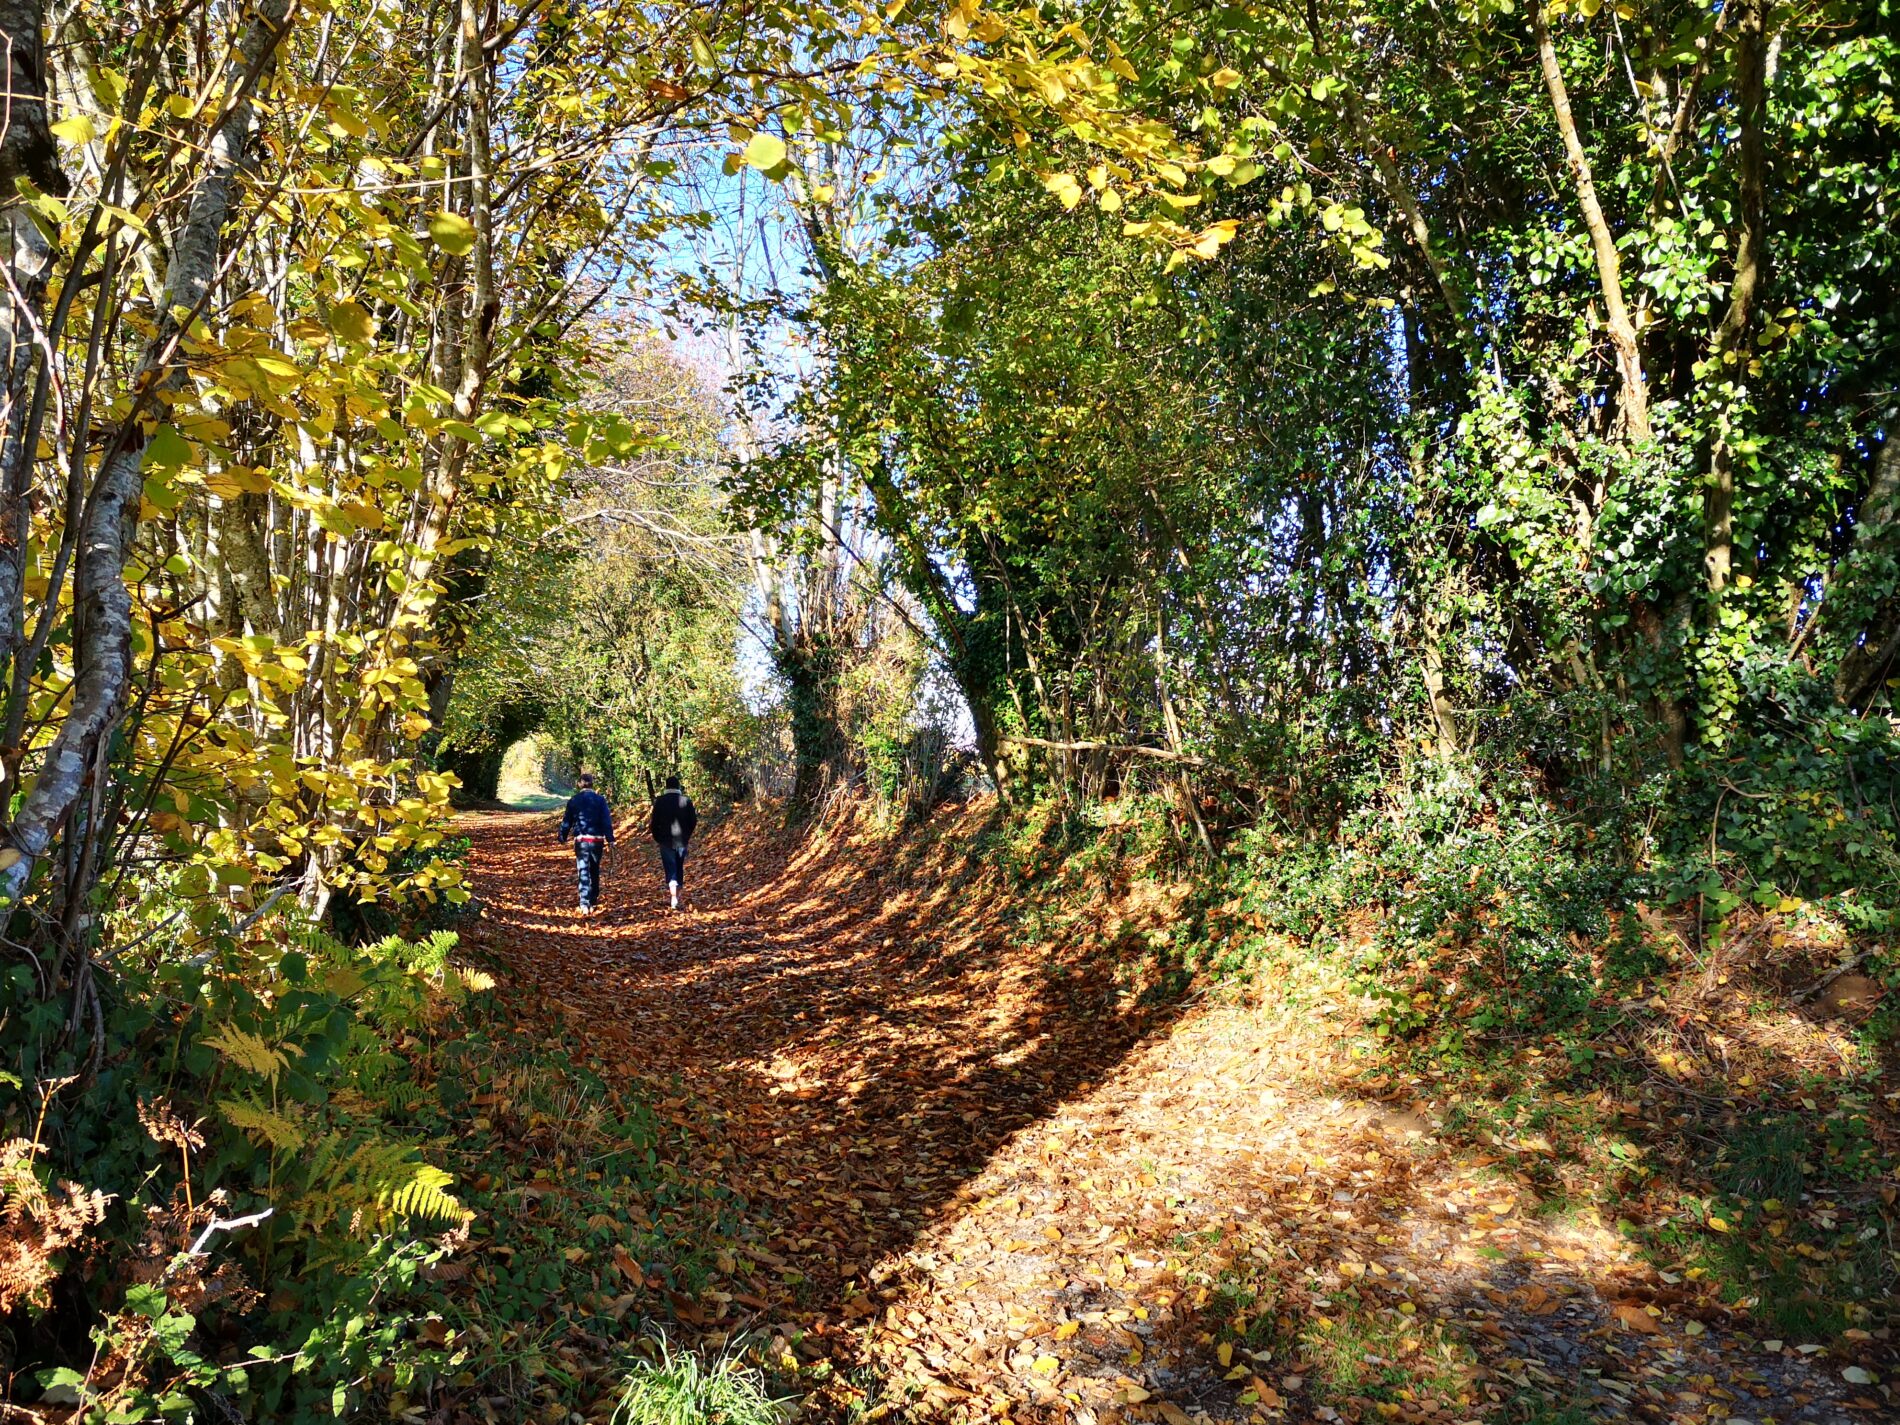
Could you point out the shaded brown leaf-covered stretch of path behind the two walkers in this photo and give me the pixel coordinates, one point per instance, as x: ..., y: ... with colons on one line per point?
x: 862, y: 1073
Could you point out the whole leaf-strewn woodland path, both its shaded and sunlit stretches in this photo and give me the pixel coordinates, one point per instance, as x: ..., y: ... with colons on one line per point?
x: 981, y: 1179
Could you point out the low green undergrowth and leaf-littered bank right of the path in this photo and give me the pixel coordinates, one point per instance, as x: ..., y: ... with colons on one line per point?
x: 1681, y: 1016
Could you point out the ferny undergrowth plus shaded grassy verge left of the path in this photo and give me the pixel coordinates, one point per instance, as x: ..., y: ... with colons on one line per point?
x: 318, y: 1179
